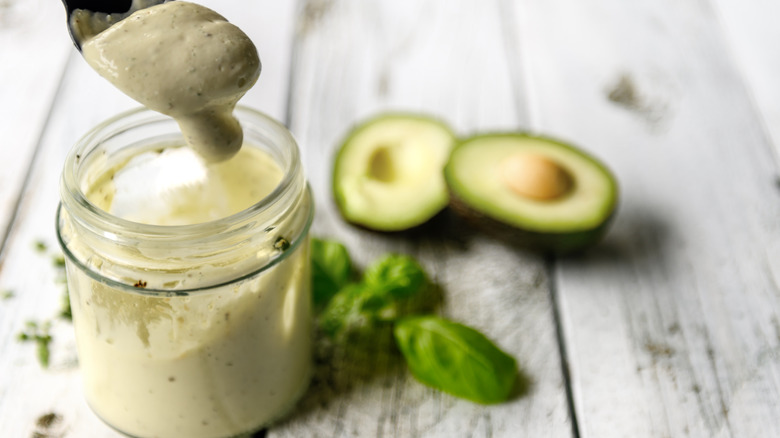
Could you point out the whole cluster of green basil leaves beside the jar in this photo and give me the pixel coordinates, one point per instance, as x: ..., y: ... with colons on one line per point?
x: 443, y: 354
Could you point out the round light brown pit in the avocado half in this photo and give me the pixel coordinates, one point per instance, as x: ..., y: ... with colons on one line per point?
x: 535, y: 176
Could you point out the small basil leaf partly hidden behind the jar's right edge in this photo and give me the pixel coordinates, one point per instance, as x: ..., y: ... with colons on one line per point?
x: 331, y: 268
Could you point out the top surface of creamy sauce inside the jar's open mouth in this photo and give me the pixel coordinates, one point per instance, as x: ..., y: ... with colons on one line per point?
x: 173, y: 186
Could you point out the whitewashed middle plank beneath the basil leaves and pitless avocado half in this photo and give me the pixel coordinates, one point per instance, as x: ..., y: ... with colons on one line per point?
x: 447, y: 59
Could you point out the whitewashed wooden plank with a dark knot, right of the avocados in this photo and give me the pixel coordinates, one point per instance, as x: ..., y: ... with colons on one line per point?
x: 671, y: 325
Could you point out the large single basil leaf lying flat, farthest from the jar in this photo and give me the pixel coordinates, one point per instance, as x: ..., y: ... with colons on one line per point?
x: 456, y: 359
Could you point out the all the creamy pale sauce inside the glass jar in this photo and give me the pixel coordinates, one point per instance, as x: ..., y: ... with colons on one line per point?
x: 212, y: 364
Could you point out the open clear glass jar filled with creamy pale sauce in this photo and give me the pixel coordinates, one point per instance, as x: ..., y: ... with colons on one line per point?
x: 191, y: 330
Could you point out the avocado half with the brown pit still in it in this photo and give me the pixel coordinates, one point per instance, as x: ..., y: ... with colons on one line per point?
x: 540, y: 193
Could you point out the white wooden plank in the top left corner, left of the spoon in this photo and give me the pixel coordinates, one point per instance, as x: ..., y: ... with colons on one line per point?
x: 33, y: 49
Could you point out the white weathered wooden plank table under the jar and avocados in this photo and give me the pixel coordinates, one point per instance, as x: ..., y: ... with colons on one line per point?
x: 669, y: 328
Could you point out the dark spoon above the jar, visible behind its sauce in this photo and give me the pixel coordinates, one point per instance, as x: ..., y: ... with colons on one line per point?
x: 87, y: 18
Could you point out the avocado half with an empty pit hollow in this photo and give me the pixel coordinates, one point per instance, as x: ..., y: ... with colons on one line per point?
x: 388, y: 173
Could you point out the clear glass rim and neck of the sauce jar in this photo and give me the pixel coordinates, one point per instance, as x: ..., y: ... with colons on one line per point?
x: 77, y: 208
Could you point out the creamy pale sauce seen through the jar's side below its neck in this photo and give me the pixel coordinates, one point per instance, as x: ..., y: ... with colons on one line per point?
x: 205, y: 366
